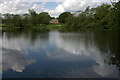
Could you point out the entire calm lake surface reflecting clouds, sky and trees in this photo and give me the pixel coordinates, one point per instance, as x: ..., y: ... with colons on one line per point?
x: 54, y: 54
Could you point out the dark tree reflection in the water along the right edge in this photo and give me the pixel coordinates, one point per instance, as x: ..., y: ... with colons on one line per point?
x: 109, y: 44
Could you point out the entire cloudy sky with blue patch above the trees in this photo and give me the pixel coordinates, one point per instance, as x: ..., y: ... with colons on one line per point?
x: 53, y: 7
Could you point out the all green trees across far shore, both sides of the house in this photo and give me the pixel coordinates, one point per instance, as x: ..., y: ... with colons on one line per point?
x: 105, y: 16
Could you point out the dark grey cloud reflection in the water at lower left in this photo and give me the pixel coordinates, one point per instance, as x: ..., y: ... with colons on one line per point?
x: 12, y: 59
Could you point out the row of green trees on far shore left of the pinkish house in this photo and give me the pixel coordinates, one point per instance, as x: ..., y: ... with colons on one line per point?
x: 26, y: 20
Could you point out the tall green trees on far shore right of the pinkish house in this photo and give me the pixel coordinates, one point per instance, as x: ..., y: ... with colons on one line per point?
x: 105, y: 16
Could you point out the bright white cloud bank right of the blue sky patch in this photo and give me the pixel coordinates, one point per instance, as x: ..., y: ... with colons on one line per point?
x: 76, y: 5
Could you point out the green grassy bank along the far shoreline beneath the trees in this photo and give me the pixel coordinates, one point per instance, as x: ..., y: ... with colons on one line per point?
x: 60, y: 27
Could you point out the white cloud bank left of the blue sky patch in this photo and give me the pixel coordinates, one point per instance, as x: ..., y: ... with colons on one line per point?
x: 20, y: 7
